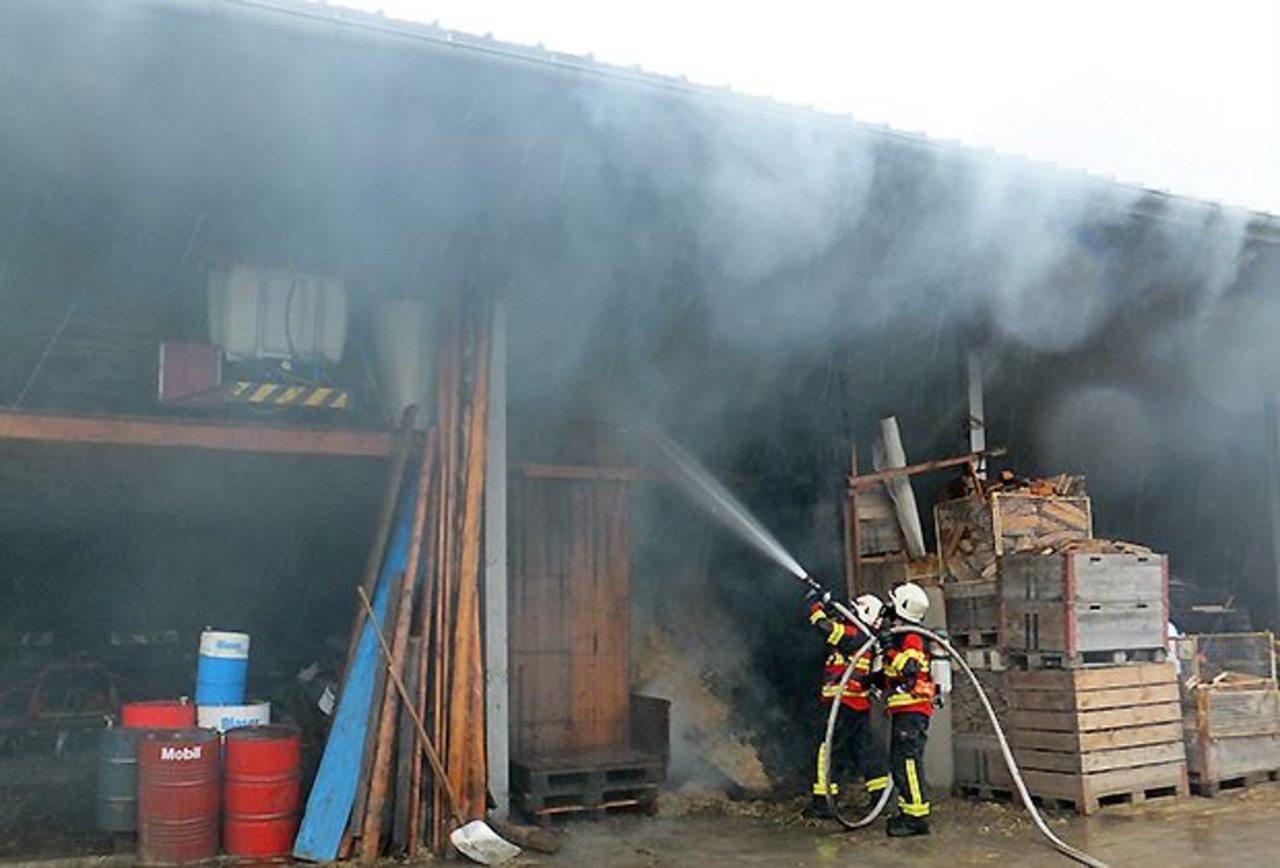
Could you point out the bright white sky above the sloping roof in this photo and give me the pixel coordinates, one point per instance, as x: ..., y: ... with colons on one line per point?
x: 1176, y: 95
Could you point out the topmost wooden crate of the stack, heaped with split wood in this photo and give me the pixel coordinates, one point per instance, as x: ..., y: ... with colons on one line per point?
x: 975, y: 532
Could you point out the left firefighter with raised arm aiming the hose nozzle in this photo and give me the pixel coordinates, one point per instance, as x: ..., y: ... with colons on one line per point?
x: 854, y: 748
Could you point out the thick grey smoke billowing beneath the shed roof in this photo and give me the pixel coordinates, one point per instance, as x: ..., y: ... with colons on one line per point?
x: 761, y: 282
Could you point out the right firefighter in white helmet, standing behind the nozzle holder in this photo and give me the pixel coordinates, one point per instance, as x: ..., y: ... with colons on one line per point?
x: 911, y: 695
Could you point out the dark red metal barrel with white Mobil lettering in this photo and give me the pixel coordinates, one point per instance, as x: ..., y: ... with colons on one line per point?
x: 179, y: 797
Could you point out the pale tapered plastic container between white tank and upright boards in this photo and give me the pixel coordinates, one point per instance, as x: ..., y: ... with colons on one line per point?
x: 404, y: 335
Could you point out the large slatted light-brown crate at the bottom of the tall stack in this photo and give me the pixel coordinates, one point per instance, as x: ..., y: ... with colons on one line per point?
x: 1098, y: 735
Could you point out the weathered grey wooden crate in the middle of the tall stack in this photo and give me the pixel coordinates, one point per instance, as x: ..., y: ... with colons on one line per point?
x: 1077, y: 609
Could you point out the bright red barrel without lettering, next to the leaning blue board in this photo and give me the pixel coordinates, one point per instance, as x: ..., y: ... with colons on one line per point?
x: 260, y: 796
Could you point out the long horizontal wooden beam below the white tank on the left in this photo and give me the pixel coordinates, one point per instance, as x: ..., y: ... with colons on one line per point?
x: 131, y: 431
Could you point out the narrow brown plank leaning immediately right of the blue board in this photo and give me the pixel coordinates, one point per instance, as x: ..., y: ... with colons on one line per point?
x: 371, y: 840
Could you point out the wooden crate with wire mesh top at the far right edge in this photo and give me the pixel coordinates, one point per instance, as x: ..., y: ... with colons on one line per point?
x: 1232, y: 710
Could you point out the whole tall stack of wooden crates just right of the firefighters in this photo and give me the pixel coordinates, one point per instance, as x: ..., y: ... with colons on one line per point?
x: 1068, y: 638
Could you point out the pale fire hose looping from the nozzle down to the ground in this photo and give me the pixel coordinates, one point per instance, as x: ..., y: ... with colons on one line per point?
x: 1059, y: 844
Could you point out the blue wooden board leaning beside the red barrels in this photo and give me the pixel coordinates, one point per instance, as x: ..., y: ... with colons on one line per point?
x: 335, y: 791
